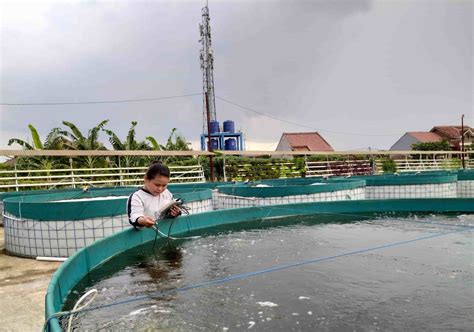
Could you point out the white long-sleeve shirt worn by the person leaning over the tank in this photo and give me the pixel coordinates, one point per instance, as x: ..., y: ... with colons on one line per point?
x: 143, y: 203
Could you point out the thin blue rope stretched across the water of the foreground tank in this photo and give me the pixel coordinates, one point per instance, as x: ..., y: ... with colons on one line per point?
x: 259, y: 272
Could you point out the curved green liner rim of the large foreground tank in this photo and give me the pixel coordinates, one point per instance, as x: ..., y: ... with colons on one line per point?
x: 95, y: 255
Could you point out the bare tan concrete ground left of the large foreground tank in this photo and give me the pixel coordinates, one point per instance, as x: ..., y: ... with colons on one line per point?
x: 23, y: 284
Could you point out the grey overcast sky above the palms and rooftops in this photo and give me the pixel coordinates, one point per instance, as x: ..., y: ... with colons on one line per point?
x: 360, y: 72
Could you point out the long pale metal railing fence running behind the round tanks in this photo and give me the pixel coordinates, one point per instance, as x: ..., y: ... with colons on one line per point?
x: 337, y: 163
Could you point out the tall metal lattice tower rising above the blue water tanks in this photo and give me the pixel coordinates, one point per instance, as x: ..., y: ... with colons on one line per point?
x: 207, y: 66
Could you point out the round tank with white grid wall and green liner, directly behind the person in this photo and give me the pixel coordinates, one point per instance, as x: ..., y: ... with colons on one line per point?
x: 58, y: 224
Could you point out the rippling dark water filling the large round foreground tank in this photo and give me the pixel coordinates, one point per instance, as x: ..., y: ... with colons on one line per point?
x: 327, y: 272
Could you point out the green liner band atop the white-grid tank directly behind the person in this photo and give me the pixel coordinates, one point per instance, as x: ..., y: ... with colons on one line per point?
x: 51, y: 207
